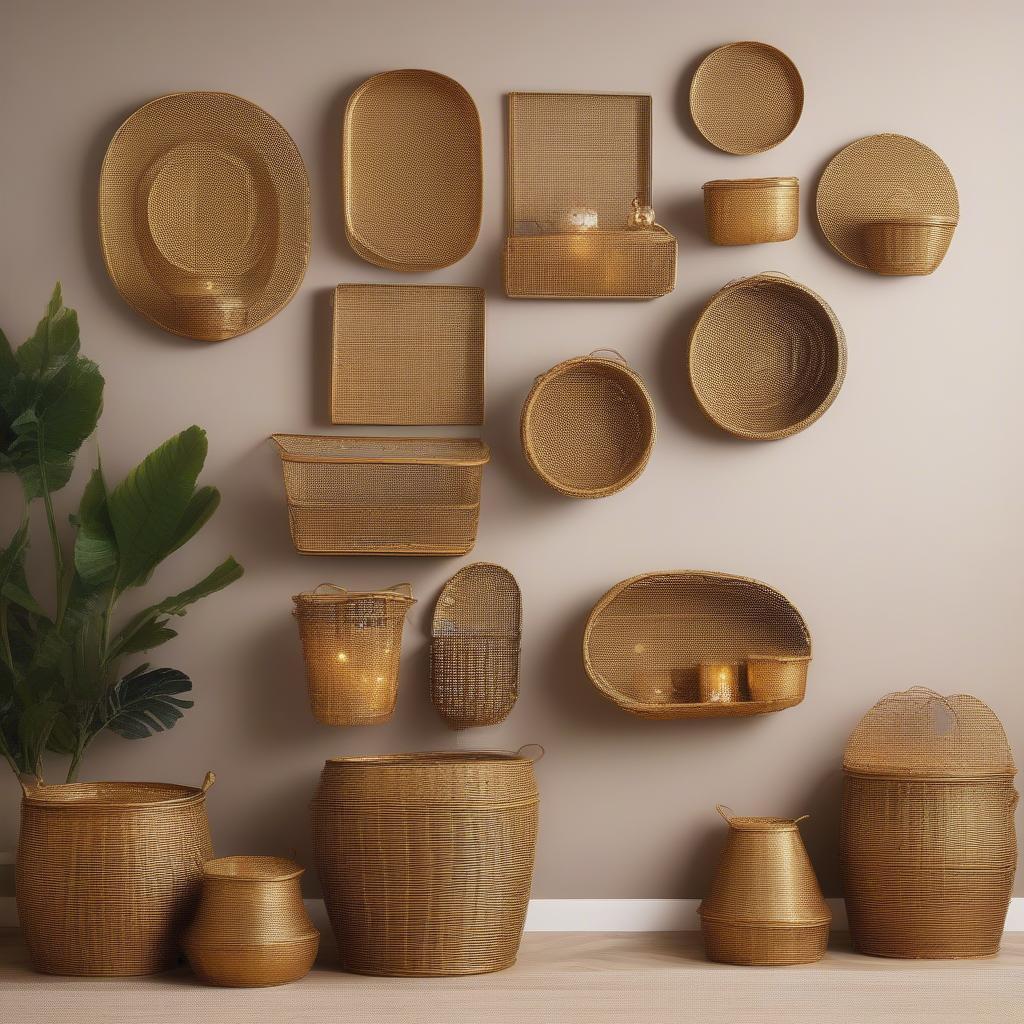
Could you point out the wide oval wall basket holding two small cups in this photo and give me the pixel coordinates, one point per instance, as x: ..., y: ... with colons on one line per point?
x: 653, y: 643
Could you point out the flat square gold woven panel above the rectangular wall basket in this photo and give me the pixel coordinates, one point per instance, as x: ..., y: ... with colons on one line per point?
x: 408, y: 355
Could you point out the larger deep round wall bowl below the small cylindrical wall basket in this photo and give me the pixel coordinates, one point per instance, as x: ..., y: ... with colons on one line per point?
x: 767, y: 358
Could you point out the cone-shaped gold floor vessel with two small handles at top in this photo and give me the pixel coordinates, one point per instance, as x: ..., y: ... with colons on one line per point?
x: 765, y: 907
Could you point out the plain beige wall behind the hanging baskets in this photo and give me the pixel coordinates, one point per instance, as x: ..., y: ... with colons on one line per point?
x: 894, y: 523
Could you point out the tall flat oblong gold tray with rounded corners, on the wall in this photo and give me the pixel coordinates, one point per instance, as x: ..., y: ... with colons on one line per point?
x: 412, y: 172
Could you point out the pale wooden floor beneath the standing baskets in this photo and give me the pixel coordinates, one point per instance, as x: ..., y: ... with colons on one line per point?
x: 562, y: 978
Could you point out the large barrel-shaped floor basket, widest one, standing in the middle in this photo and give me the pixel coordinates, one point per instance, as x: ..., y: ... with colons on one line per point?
x: 426, y: 860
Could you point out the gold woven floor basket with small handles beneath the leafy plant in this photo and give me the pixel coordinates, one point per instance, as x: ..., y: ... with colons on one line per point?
x: 109, y: 874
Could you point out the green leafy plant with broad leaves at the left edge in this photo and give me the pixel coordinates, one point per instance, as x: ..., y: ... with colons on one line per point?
x: 63, y: 674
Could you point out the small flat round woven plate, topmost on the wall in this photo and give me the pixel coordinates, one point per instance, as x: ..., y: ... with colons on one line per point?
x: 746, y: 98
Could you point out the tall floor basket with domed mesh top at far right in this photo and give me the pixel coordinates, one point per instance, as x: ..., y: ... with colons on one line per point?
x: 928, y: 845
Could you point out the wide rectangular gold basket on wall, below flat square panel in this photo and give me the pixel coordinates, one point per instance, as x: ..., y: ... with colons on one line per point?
x: 386, y: 496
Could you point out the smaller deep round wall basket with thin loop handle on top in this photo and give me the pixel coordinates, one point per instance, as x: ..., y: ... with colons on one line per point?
x: 588, y: 426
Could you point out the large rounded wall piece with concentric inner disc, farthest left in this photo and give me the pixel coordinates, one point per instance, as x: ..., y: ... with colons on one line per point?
x: 204, y: 215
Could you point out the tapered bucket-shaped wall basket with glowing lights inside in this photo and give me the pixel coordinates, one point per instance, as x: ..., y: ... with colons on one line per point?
x: 353, y: 647
